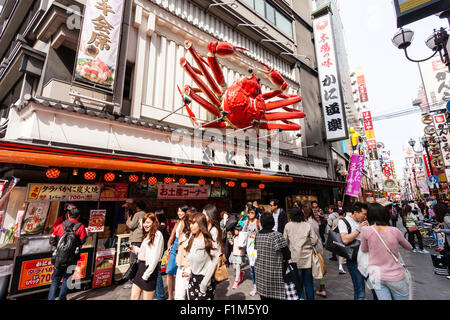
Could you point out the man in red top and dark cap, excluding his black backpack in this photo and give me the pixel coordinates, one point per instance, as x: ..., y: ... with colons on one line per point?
x: 65, y: 272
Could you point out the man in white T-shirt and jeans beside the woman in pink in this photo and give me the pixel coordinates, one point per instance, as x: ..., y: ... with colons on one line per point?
x: 356, y: 221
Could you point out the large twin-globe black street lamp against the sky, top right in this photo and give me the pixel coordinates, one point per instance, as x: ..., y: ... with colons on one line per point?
x: 436, y: 42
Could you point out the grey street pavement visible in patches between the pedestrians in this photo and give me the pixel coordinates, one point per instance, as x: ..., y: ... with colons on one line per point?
x: 426, y: 284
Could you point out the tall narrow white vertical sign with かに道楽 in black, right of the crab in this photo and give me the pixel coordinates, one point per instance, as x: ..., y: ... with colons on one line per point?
x: 333, y: 111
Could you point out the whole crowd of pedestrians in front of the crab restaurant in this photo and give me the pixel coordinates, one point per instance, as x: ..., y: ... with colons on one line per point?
x: 268, y: 241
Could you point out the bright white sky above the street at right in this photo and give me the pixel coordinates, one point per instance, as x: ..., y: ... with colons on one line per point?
x: 392, y: 81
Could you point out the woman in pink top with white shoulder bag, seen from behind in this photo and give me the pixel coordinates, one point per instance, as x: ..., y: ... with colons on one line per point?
x: 385, y: 273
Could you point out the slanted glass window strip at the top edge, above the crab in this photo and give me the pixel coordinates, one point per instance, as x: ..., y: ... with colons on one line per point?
x: 267, y: 10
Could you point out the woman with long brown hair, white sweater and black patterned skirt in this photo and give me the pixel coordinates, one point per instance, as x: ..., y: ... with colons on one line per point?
x: 203, y: 256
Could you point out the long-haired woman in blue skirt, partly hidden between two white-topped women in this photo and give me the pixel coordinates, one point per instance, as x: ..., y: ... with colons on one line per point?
x: 180, y: 227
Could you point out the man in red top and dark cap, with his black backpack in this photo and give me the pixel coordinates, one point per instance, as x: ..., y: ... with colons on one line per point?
x: 68, y: 238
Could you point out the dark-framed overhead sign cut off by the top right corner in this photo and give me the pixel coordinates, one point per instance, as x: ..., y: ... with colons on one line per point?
x: 412, y: 10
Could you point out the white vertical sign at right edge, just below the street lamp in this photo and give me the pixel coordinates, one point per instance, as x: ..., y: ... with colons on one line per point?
x: 436, y: 81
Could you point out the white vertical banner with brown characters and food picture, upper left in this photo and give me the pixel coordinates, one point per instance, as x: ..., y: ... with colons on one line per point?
x: 99, y: 43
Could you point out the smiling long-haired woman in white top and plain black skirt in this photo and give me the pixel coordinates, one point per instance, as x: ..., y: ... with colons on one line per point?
x: 149, y: 254
